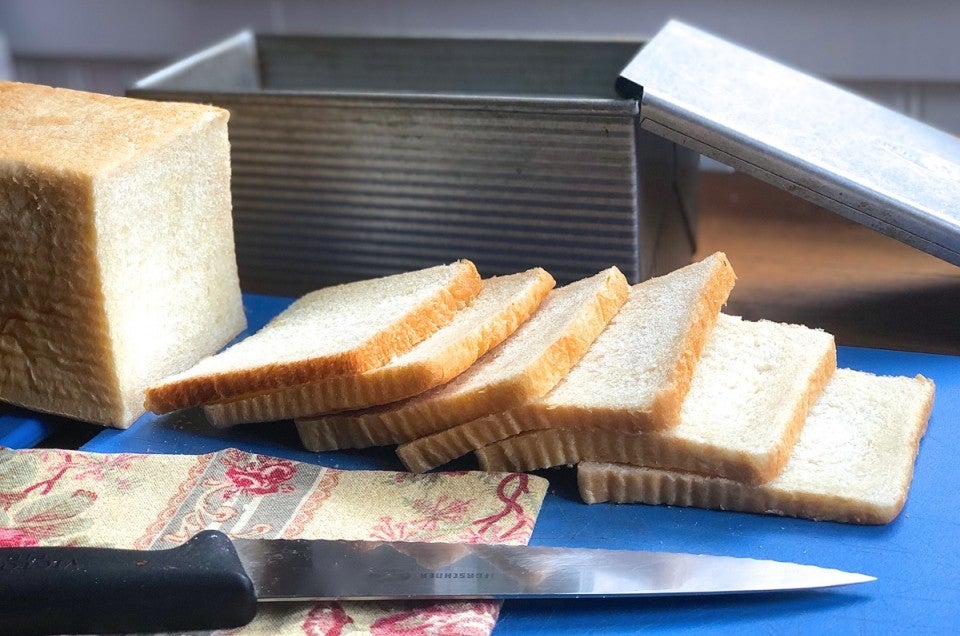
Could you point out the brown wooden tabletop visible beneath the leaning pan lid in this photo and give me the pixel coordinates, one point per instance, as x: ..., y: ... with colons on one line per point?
x: 796, y: 262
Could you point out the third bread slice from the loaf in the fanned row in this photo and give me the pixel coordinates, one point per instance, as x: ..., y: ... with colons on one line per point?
x: 525, y: 366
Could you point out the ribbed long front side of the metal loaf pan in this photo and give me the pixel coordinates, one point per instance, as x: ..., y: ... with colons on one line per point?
x: 324, y: 193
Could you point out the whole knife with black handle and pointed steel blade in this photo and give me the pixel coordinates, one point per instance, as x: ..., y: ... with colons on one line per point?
x: 213, y: 582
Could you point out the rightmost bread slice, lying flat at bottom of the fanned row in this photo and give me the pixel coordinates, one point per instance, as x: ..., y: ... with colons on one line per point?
x: 853, y: 462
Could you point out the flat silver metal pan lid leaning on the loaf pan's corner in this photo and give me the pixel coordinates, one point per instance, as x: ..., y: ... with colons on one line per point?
x: 840, y: 151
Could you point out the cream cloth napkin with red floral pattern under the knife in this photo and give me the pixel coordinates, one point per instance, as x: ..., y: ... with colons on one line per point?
x: 58, y: 497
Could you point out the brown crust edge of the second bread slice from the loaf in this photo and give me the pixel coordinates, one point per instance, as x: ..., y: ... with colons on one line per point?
x: 391, y: 382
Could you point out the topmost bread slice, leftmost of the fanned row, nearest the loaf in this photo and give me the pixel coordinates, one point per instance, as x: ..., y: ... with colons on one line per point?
x: 342, y: 329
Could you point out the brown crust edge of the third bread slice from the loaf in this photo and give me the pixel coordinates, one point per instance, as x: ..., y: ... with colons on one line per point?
x: 422, y: 417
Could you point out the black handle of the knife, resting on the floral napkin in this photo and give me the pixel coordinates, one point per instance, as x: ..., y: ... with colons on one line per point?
x: 198, y: 585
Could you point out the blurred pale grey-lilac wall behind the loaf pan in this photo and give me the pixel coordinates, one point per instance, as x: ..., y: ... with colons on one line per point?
x: 904, y: 54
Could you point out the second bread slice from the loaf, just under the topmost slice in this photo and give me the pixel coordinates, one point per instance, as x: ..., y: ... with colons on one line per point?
x: 502, y: 306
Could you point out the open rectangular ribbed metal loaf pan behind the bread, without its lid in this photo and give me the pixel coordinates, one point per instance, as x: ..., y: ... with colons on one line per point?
x: 363, y: 157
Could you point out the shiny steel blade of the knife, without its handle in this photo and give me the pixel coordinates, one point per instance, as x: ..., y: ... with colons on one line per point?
x: 284, y: 570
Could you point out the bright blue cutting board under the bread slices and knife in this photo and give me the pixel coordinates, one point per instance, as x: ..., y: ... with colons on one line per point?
x: 916, y: 558
